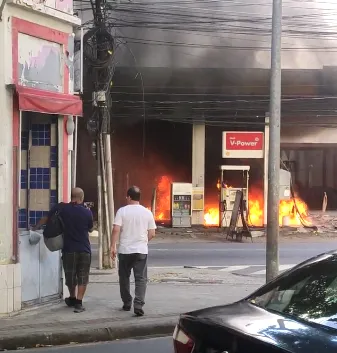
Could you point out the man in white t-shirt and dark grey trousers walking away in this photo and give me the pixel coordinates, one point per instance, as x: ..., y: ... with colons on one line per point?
x: 135, y: 226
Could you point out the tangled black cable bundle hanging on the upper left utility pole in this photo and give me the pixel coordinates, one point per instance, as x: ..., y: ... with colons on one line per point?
x: 101, y: 45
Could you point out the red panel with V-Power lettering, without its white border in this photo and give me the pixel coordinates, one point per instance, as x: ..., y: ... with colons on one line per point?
x: 244, y: 141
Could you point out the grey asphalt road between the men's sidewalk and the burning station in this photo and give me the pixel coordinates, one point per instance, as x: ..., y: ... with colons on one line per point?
x: 228, y: 254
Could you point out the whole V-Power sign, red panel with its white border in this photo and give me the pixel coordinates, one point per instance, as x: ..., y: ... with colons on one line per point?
x: 245, y: 144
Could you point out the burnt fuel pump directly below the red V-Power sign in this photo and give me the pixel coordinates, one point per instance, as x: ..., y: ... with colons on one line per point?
x: 239, y: 173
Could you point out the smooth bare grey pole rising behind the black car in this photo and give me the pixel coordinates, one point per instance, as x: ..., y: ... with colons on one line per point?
x: 272, y: 251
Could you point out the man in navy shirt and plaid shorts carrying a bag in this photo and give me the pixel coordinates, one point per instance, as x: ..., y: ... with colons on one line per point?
x: 76, y: 252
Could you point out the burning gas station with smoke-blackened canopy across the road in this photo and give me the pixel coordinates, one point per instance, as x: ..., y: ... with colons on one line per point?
x: 183, y: 137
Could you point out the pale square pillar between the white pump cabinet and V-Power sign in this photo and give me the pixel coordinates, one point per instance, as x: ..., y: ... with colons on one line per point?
x: 198, y: 168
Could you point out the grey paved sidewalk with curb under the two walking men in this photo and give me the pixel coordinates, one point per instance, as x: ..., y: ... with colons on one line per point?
x: 169, y: 294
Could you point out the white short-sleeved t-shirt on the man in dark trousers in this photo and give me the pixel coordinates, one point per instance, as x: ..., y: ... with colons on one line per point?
x: 135, y: 221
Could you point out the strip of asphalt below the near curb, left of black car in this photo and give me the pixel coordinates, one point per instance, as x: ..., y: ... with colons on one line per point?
x: 162, y: 345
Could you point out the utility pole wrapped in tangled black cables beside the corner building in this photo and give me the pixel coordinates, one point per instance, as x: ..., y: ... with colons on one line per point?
x: 98, y: 52
